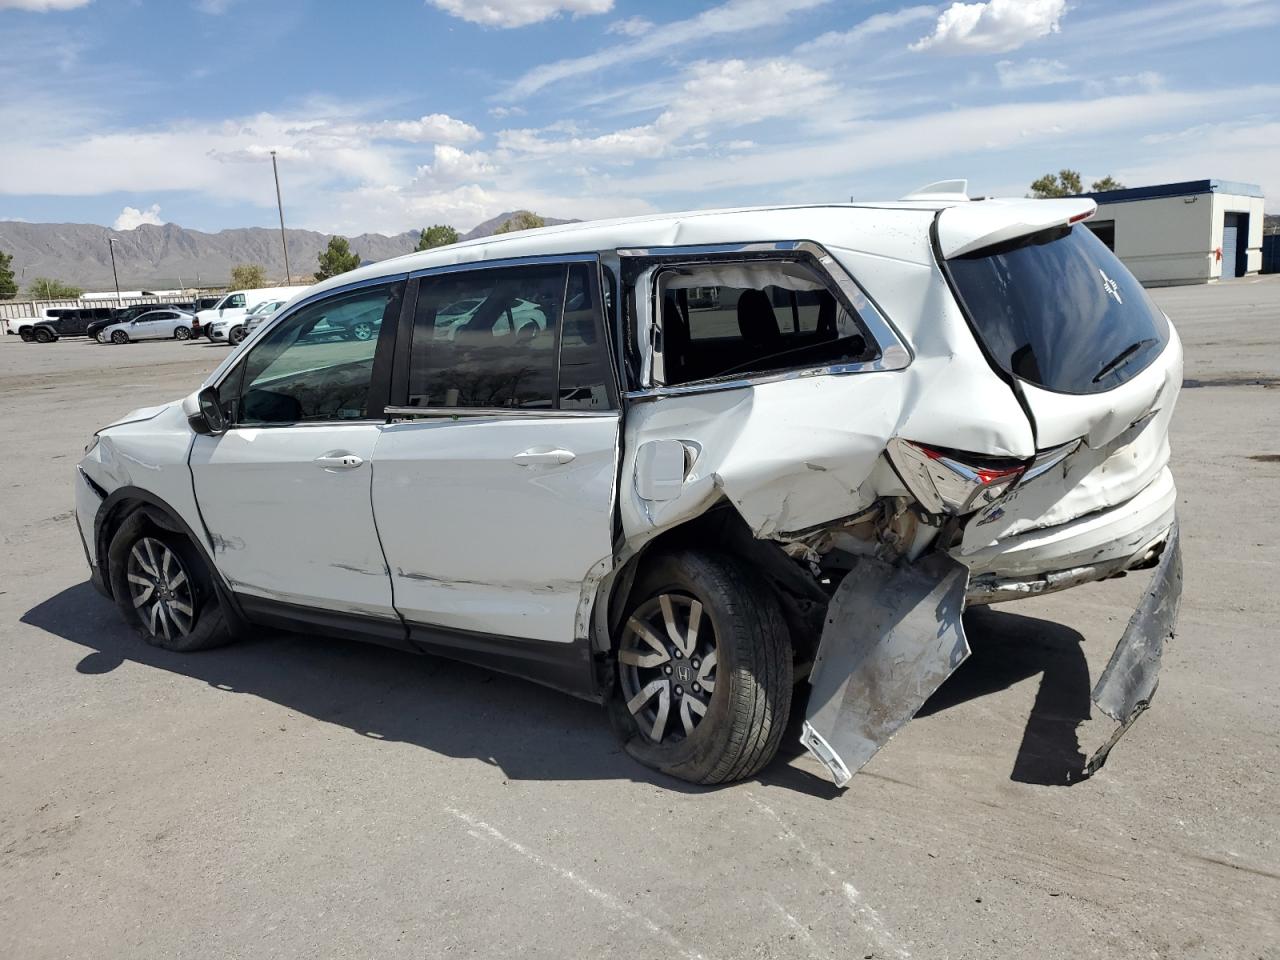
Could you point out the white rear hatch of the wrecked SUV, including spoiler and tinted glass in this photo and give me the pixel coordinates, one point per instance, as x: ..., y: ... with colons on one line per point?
x: 1091, y: 358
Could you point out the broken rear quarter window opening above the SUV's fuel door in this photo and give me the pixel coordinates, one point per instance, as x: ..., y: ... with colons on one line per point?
x: 725, y: 319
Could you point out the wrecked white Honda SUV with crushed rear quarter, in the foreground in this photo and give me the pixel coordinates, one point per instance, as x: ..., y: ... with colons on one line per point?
x: 678, y: 465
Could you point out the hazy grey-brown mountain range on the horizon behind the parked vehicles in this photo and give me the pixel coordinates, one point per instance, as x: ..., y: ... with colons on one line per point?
x: 168, y: 257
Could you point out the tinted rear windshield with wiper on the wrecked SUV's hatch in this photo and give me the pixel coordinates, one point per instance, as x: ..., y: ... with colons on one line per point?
x: 1059, y: 310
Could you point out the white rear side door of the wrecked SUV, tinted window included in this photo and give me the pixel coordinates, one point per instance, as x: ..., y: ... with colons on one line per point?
x: 495, y: 492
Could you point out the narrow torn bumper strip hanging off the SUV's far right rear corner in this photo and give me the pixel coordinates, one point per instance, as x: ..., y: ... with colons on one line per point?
x: 1130, y: 682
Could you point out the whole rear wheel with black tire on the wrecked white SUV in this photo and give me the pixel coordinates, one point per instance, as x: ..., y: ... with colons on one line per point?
x: 751, y: 684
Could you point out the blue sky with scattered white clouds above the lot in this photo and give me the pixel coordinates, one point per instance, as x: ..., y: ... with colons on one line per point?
x: 396, y: 115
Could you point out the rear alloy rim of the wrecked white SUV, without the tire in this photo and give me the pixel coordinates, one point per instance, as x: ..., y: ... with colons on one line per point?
x: 668, y: 657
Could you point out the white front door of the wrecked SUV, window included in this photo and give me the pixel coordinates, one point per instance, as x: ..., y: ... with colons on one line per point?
x: 286, y: 491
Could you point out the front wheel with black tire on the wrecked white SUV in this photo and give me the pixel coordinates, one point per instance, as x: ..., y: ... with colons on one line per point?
x: 139, y: 554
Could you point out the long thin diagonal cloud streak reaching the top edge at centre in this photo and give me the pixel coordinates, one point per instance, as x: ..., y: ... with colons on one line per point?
x: 732, y: 17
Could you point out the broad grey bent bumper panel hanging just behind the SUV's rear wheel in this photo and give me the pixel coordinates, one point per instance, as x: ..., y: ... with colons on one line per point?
x: 893, y: 637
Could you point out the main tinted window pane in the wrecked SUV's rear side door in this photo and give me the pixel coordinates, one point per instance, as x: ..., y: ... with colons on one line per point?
x: 487, y: 339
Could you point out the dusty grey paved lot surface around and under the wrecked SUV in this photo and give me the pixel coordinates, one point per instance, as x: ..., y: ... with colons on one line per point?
x: 295, y: 797
